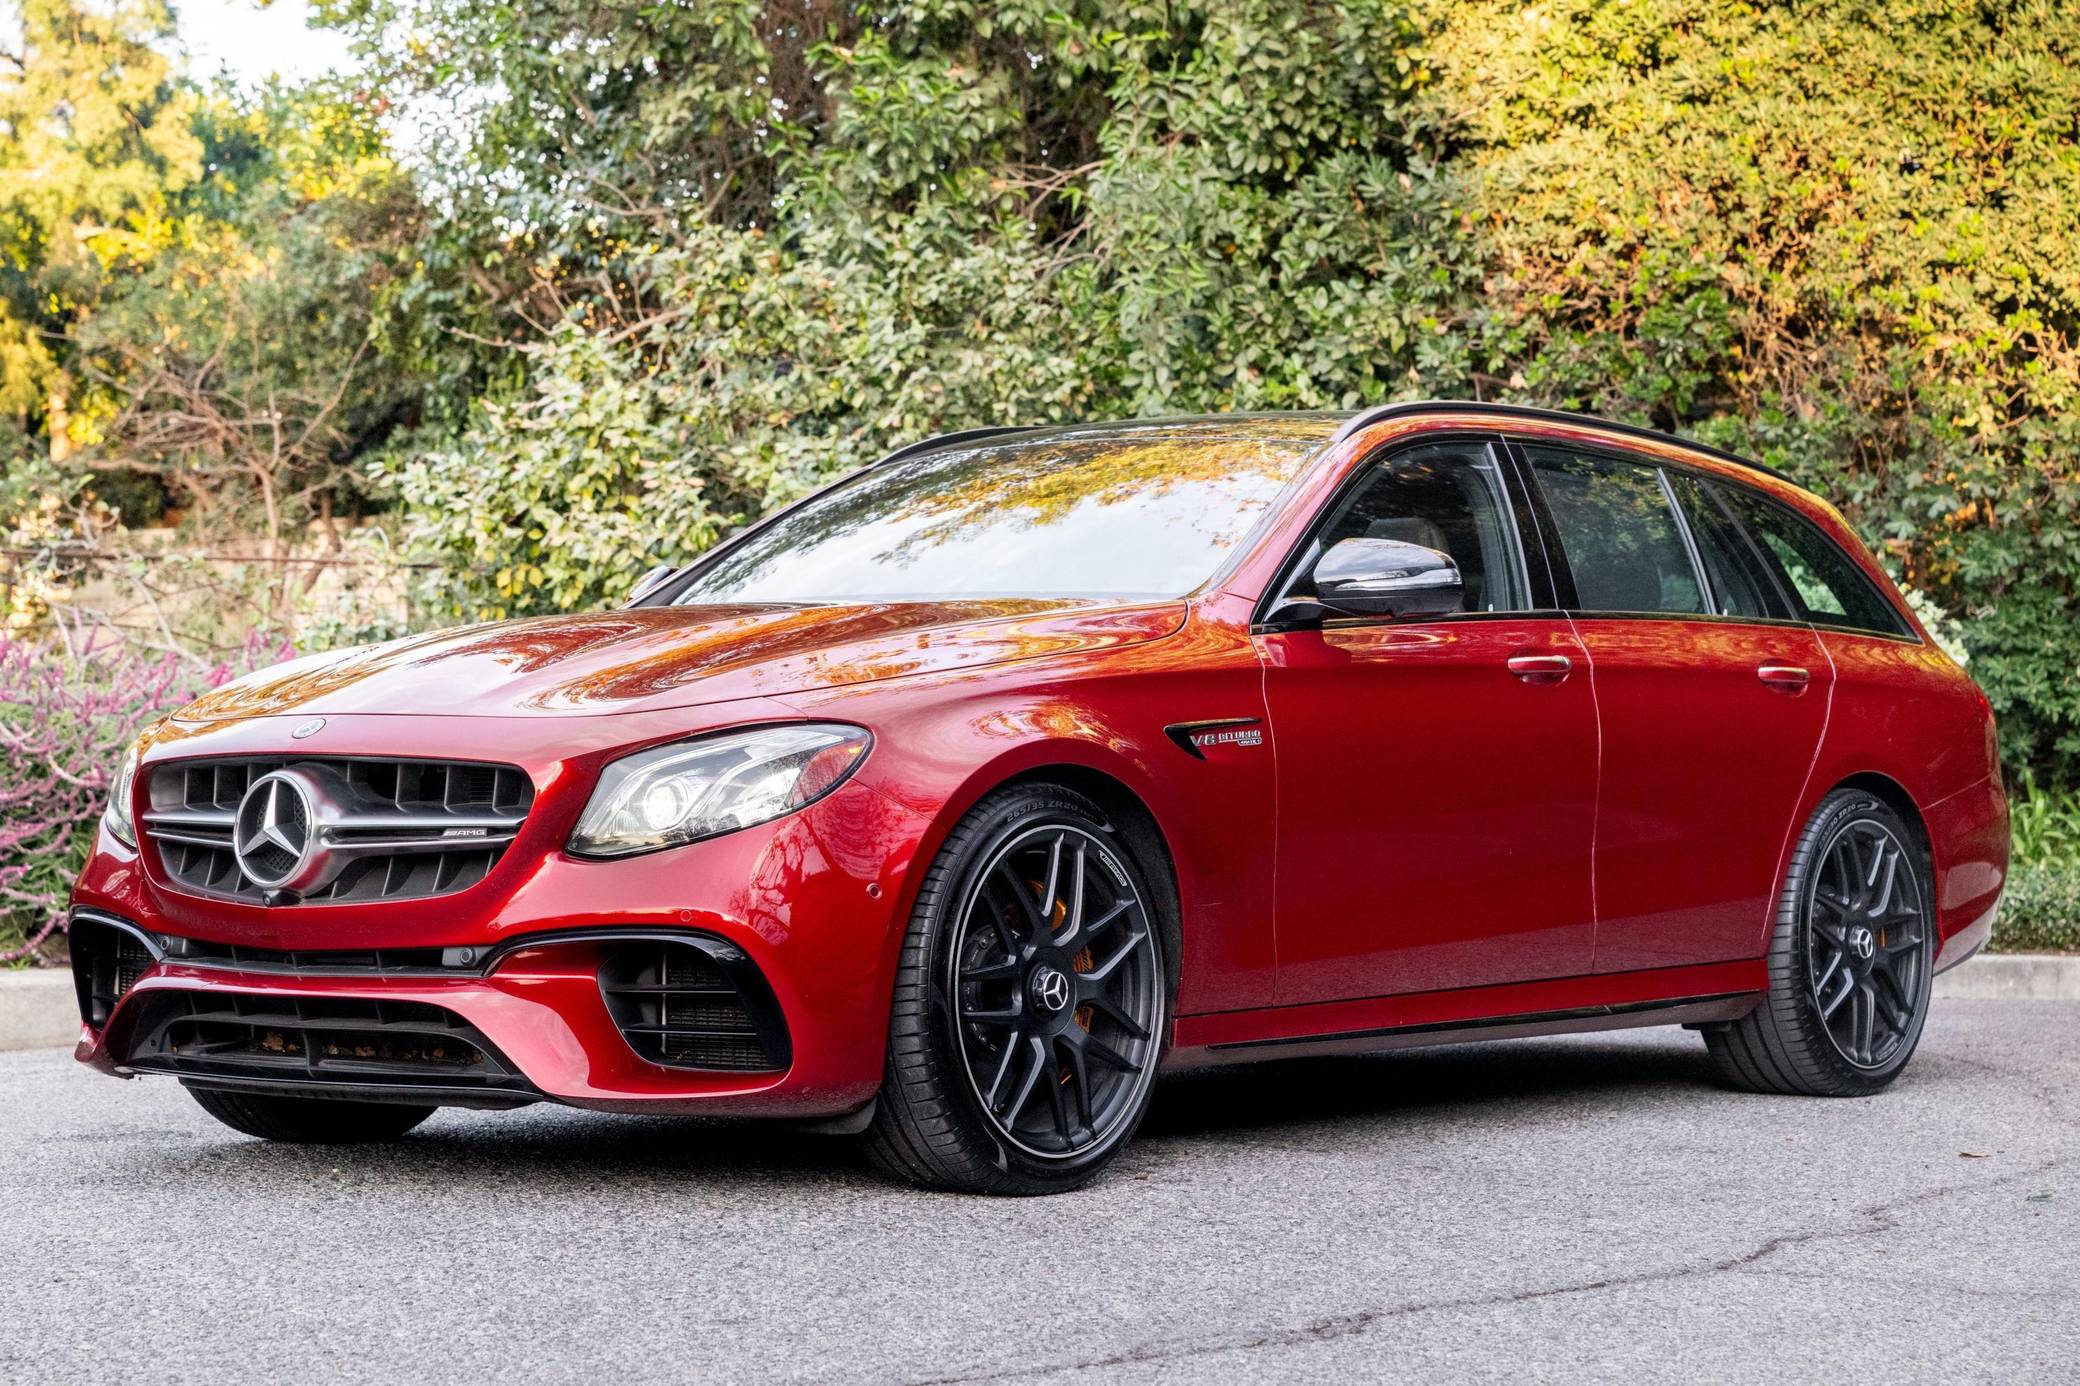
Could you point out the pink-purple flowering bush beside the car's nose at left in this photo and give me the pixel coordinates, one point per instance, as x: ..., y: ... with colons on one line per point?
x: 70, y: 707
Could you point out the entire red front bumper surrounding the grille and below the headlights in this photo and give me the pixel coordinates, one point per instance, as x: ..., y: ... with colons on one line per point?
x: 812, y: 908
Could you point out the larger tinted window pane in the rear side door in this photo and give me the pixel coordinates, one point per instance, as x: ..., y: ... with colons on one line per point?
x: 1621, y: 538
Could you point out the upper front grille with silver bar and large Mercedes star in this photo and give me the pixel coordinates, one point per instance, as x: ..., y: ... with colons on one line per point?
x: 407, y: 829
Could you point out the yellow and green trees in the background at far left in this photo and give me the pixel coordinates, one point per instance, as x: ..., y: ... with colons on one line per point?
x: 190, y: 278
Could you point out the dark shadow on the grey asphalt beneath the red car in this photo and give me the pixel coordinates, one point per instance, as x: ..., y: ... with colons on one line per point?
x: 548, y: 1148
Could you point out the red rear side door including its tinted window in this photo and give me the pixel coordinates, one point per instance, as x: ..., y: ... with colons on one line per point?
x: 1711, y: 702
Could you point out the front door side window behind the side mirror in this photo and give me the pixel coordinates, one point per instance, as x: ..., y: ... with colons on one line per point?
x: 1449, y: 498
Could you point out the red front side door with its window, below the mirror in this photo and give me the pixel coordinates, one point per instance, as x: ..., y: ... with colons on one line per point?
x: 1436, y: 777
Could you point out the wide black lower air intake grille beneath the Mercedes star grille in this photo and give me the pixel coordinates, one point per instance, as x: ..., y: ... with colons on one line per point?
x: 317, y: 1042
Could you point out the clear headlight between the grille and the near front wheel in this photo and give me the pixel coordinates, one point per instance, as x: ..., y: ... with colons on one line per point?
x: 692, y: 790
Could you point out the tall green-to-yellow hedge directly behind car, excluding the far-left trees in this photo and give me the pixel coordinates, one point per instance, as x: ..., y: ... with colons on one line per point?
x: 742, y: 247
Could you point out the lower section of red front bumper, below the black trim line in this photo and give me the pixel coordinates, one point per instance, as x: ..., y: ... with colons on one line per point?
x: 531, y: 1021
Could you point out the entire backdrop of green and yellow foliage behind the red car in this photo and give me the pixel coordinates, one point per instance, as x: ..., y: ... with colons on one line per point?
x: 650, y: 269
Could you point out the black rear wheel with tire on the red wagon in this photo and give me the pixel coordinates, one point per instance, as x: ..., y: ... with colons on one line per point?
x: 1852, y: 960
